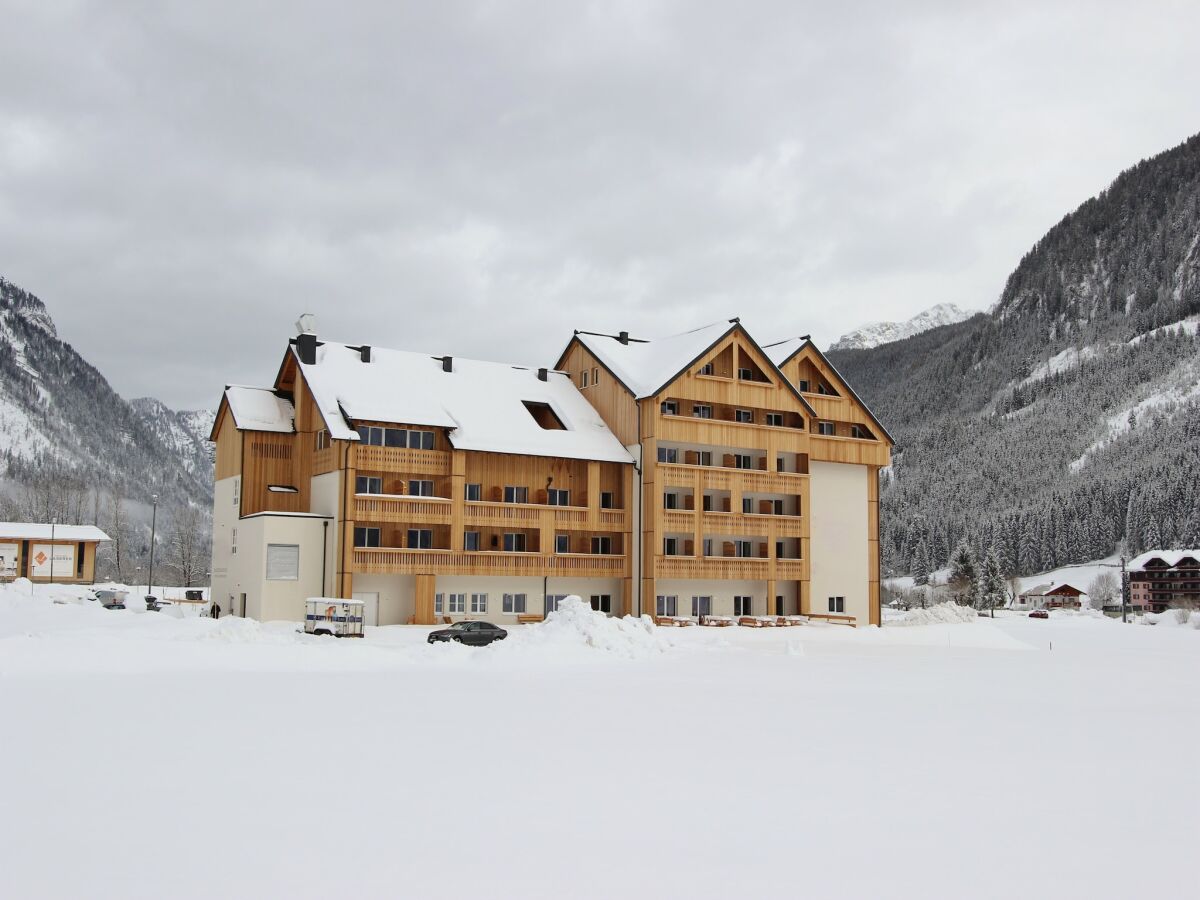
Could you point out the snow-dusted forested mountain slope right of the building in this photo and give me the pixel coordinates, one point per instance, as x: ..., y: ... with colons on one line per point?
x: 1066, y: 422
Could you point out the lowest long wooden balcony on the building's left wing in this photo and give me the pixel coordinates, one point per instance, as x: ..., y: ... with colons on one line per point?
x: 392, y: 561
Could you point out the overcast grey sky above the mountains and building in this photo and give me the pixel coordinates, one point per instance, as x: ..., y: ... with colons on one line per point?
x: 181, y: 181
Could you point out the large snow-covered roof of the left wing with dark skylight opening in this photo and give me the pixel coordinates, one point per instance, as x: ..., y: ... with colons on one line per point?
x: 483, y: 405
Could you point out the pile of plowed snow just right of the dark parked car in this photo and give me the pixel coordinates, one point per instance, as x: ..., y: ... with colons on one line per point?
x: 575, y: 625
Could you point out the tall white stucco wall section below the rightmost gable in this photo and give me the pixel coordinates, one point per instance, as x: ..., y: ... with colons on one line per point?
x: 838, y: 547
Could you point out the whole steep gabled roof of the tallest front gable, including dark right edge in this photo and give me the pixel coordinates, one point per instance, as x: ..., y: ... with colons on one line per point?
x: 647, y: 367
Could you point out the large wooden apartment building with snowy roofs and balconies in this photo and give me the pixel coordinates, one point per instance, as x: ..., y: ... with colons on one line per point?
x: 695, y: 476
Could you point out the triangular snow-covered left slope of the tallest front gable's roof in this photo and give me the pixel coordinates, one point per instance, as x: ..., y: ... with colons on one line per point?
x: 647, y: 367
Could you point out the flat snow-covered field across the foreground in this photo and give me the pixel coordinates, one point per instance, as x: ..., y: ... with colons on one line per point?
x: 155, y: 757
